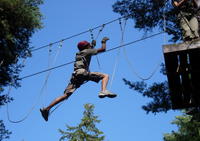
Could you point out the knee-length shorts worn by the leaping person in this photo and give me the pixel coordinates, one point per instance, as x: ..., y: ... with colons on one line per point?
x: 80, y: 77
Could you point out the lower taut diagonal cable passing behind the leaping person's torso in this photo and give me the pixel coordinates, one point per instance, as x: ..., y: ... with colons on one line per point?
x: 114, y: 48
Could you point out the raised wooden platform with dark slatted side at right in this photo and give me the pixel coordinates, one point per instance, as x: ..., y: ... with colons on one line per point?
x: 182, y: 63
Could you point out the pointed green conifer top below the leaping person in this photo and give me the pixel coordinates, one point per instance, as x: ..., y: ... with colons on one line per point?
x: 86, y: 130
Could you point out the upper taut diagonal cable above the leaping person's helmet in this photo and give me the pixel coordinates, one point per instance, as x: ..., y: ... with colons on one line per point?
x: 78, y: 34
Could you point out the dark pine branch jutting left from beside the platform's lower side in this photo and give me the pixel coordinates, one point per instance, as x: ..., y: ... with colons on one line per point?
x: 158, y: 92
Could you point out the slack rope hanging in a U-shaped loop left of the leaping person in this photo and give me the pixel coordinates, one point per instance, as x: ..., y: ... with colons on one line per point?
x: 41, y: 91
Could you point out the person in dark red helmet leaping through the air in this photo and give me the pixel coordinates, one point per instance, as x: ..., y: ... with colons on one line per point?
x: 82, y: 74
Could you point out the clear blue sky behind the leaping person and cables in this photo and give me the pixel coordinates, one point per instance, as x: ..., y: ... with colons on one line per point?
x: 121, y: 118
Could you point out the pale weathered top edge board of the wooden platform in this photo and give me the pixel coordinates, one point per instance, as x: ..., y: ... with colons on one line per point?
x: 182, y: 46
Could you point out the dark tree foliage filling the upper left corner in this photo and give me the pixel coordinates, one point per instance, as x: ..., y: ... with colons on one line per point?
x: 19, y: 19
